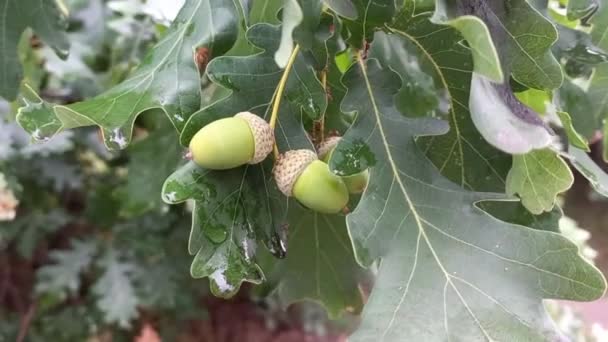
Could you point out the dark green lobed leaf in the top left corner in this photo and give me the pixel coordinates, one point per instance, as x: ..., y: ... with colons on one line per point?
x: 46, y: 18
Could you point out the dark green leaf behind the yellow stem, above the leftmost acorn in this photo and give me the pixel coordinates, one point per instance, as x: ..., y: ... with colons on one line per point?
x: 253, y: 80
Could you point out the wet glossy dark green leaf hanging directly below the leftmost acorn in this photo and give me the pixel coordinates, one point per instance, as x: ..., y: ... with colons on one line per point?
x: 220, y: 236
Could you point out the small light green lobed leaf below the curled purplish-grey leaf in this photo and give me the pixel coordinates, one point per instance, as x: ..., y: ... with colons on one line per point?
x: 538, y: 177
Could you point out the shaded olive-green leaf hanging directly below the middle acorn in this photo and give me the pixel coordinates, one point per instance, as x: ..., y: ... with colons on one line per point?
x: 319, y: 266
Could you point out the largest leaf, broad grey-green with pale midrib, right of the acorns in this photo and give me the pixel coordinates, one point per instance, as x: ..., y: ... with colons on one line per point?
x: 427, y: 232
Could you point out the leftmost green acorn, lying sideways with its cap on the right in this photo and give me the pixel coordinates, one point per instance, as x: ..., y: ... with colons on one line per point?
x: 231, y: 142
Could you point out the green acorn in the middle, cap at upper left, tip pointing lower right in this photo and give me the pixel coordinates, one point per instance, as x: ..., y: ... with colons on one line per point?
x: 300, y: 173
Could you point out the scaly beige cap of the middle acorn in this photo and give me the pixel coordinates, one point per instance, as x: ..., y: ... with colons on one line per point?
x: 289, y: 166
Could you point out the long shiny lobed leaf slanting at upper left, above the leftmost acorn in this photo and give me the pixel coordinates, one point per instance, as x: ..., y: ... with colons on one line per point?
x: 167, y: 79
